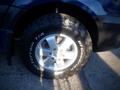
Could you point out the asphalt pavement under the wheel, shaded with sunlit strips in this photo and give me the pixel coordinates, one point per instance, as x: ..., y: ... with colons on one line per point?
x: 102, y: 72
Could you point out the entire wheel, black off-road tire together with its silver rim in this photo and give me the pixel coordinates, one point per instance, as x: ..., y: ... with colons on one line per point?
x: 56, y: 46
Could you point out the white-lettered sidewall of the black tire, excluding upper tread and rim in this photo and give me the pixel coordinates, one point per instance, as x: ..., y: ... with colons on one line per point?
x: 32, y: 39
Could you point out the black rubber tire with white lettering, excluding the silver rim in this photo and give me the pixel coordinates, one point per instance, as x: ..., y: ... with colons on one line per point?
x: 56, y: 23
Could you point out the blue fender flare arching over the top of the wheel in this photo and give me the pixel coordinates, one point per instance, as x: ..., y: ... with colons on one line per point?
x: 93, y: 7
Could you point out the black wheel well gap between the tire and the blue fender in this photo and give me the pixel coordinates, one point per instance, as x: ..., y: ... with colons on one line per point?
x: 29, y: 15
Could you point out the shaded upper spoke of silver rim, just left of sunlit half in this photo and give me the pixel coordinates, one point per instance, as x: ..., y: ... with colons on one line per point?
x: 52, y: 42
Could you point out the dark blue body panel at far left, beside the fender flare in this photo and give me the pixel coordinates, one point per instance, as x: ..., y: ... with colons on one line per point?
x: 4, y: 33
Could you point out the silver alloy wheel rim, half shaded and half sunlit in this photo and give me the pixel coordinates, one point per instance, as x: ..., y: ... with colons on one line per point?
x: 56, y: 52
